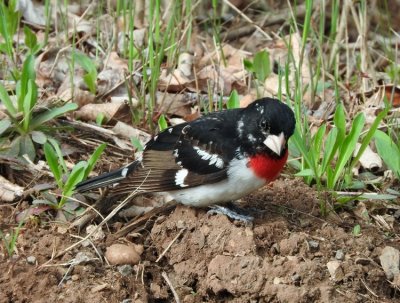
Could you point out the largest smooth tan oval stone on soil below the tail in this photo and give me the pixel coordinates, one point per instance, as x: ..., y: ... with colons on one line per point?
x: 119, y: 254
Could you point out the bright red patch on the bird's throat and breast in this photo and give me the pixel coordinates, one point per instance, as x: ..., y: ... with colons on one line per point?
x: 266, y: 167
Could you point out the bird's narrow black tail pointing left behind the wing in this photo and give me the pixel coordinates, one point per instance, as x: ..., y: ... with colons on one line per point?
x: 107, y: 179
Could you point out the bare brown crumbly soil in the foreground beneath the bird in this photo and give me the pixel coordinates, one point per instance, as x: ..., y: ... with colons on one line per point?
x: 282, y: 257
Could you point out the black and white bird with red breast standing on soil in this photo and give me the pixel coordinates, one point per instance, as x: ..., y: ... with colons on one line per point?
x: 217, y: 158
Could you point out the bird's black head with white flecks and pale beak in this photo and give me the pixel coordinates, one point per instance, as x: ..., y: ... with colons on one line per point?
x: 265, y: 126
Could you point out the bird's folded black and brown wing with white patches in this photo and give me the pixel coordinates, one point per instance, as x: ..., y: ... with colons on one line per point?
x: 186, y: 155
